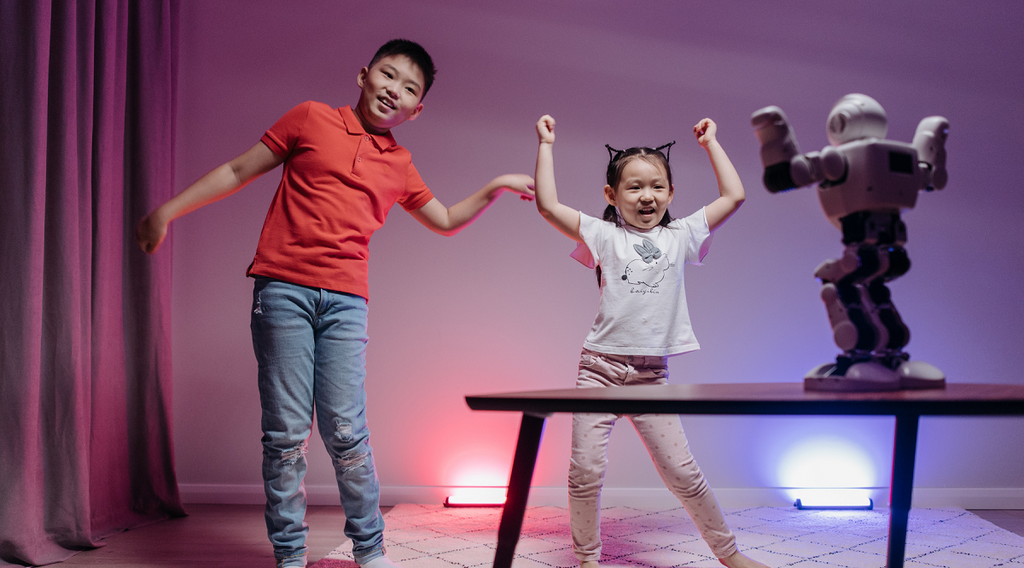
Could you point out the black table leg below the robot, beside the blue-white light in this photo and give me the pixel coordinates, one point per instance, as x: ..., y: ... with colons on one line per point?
x: 902, y: 492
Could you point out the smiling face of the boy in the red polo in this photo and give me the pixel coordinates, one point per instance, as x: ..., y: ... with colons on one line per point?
x: 391, y: 94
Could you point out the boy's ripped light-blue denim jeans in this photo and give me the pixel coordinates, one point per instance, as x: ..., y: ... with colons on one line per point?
x: 311, y: 347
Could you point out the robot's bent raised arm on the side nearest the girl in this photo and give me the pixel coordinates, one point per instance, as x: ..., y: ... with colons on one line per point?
x: 786, y: 168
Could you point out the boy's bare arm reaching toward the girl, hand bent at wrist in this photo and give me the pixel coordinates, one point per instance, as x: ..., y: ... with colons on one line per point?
x: 449, y: 222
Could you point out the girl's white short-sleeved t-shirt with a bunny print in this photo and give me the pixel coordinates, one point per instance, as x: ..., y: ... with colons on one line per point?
x: 644, y: 300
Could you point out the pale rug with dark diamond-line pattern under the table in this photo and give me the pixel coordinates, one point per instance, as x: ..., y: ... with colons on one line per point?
x: 433, y: 537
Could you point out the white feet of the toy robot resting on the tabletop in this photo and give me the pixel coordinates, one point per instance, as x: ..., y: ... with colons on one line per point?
x: 871, y: 376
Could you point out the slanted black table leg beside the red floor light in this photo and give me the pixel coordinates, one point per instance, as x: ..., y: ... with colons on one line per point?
x: 516, y: 503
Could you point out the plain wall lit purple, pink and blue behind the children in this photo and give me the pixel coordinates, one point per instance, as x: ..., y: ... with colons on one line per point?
x: 502, y: 308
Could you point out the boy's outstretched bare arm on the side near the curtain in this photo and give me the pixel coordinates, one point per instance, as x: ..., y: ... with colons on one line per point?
x: 221, y: 183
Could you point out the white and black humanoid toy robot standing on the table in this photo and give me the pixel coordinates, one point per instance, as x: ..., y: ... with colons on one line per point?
x: 864, y: 184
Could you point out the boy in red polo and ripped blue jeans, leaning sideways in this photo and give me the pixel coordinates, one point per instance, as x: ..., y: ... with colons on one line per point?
x: 343, y: 173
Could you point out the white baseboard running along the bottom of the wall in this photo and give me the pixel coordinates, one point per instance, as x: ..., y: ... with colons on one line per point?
x: 1007, y: 498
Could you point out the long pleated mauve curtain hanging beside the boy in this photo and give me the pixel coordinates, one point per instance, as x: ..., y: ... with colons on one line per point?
x: 88, y: 103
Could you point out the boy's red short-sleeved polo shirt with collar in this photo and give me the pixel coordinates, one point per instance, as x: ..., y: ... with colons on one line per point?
x: 336, y: 190
